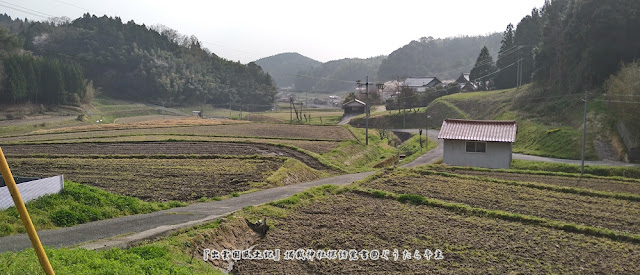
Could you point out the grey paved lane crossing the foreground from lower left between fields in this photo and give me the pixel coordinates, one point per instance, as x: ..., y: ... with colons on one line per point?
x: 130, y: 230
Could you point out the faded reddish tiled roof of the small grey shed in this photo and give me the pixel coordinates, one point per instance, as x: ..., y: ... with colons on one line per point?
x: 479, y: 130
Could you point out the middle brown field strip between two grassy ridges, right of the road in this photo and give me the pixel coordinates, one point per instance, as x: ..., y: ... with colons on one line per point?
x: 609, y: 213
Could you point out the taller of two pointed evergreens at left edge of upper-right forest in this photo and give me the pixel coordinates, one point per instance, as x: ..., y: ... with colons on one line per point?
x: 505, y: 76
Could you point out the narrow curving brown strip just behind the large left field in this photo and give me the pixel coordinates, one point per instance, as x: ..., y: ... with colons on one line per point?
x: 169, y: 148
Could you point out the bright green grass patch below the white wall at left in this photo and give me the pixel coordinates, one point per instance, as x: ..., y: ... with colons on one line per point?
x: 76, y: 204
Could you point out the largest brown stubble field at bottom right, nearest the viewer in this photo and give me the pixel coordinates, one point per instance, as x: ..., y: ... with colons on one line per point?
x: 470, y: 244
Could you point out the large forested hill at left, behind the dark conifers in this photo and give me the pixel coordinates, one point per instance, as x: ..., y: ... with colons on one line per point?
x: 132, y: 61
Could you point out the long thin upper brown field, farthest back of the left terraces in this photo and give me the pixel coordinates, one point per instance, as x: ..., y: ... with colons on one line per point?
x: 256, y: 130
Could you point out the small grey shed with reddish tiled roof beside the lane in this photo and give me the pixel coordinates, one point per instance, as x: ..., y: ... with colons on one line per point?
x: 479, y: 143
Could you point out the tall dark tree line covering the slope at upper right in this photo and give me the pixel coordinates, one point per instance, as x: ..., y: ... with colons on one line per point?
x: 567, y: 46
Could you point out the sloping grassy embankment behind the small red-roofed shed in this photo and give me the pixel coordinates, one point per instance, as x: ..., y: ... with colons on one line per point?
x: 547, y: 126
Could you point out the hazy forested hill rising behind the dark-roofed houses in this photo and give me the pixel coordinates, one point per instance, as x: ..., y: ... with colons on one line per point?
x: 444, y: 58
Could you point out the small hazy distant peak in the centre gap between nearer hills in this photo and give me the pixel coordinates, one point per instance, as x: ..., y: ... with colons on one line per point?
x: 285, y: 66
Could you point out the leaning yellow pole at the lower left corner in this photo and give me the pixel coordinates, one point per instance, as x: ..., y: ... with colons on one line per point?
x: 24, y: 215
